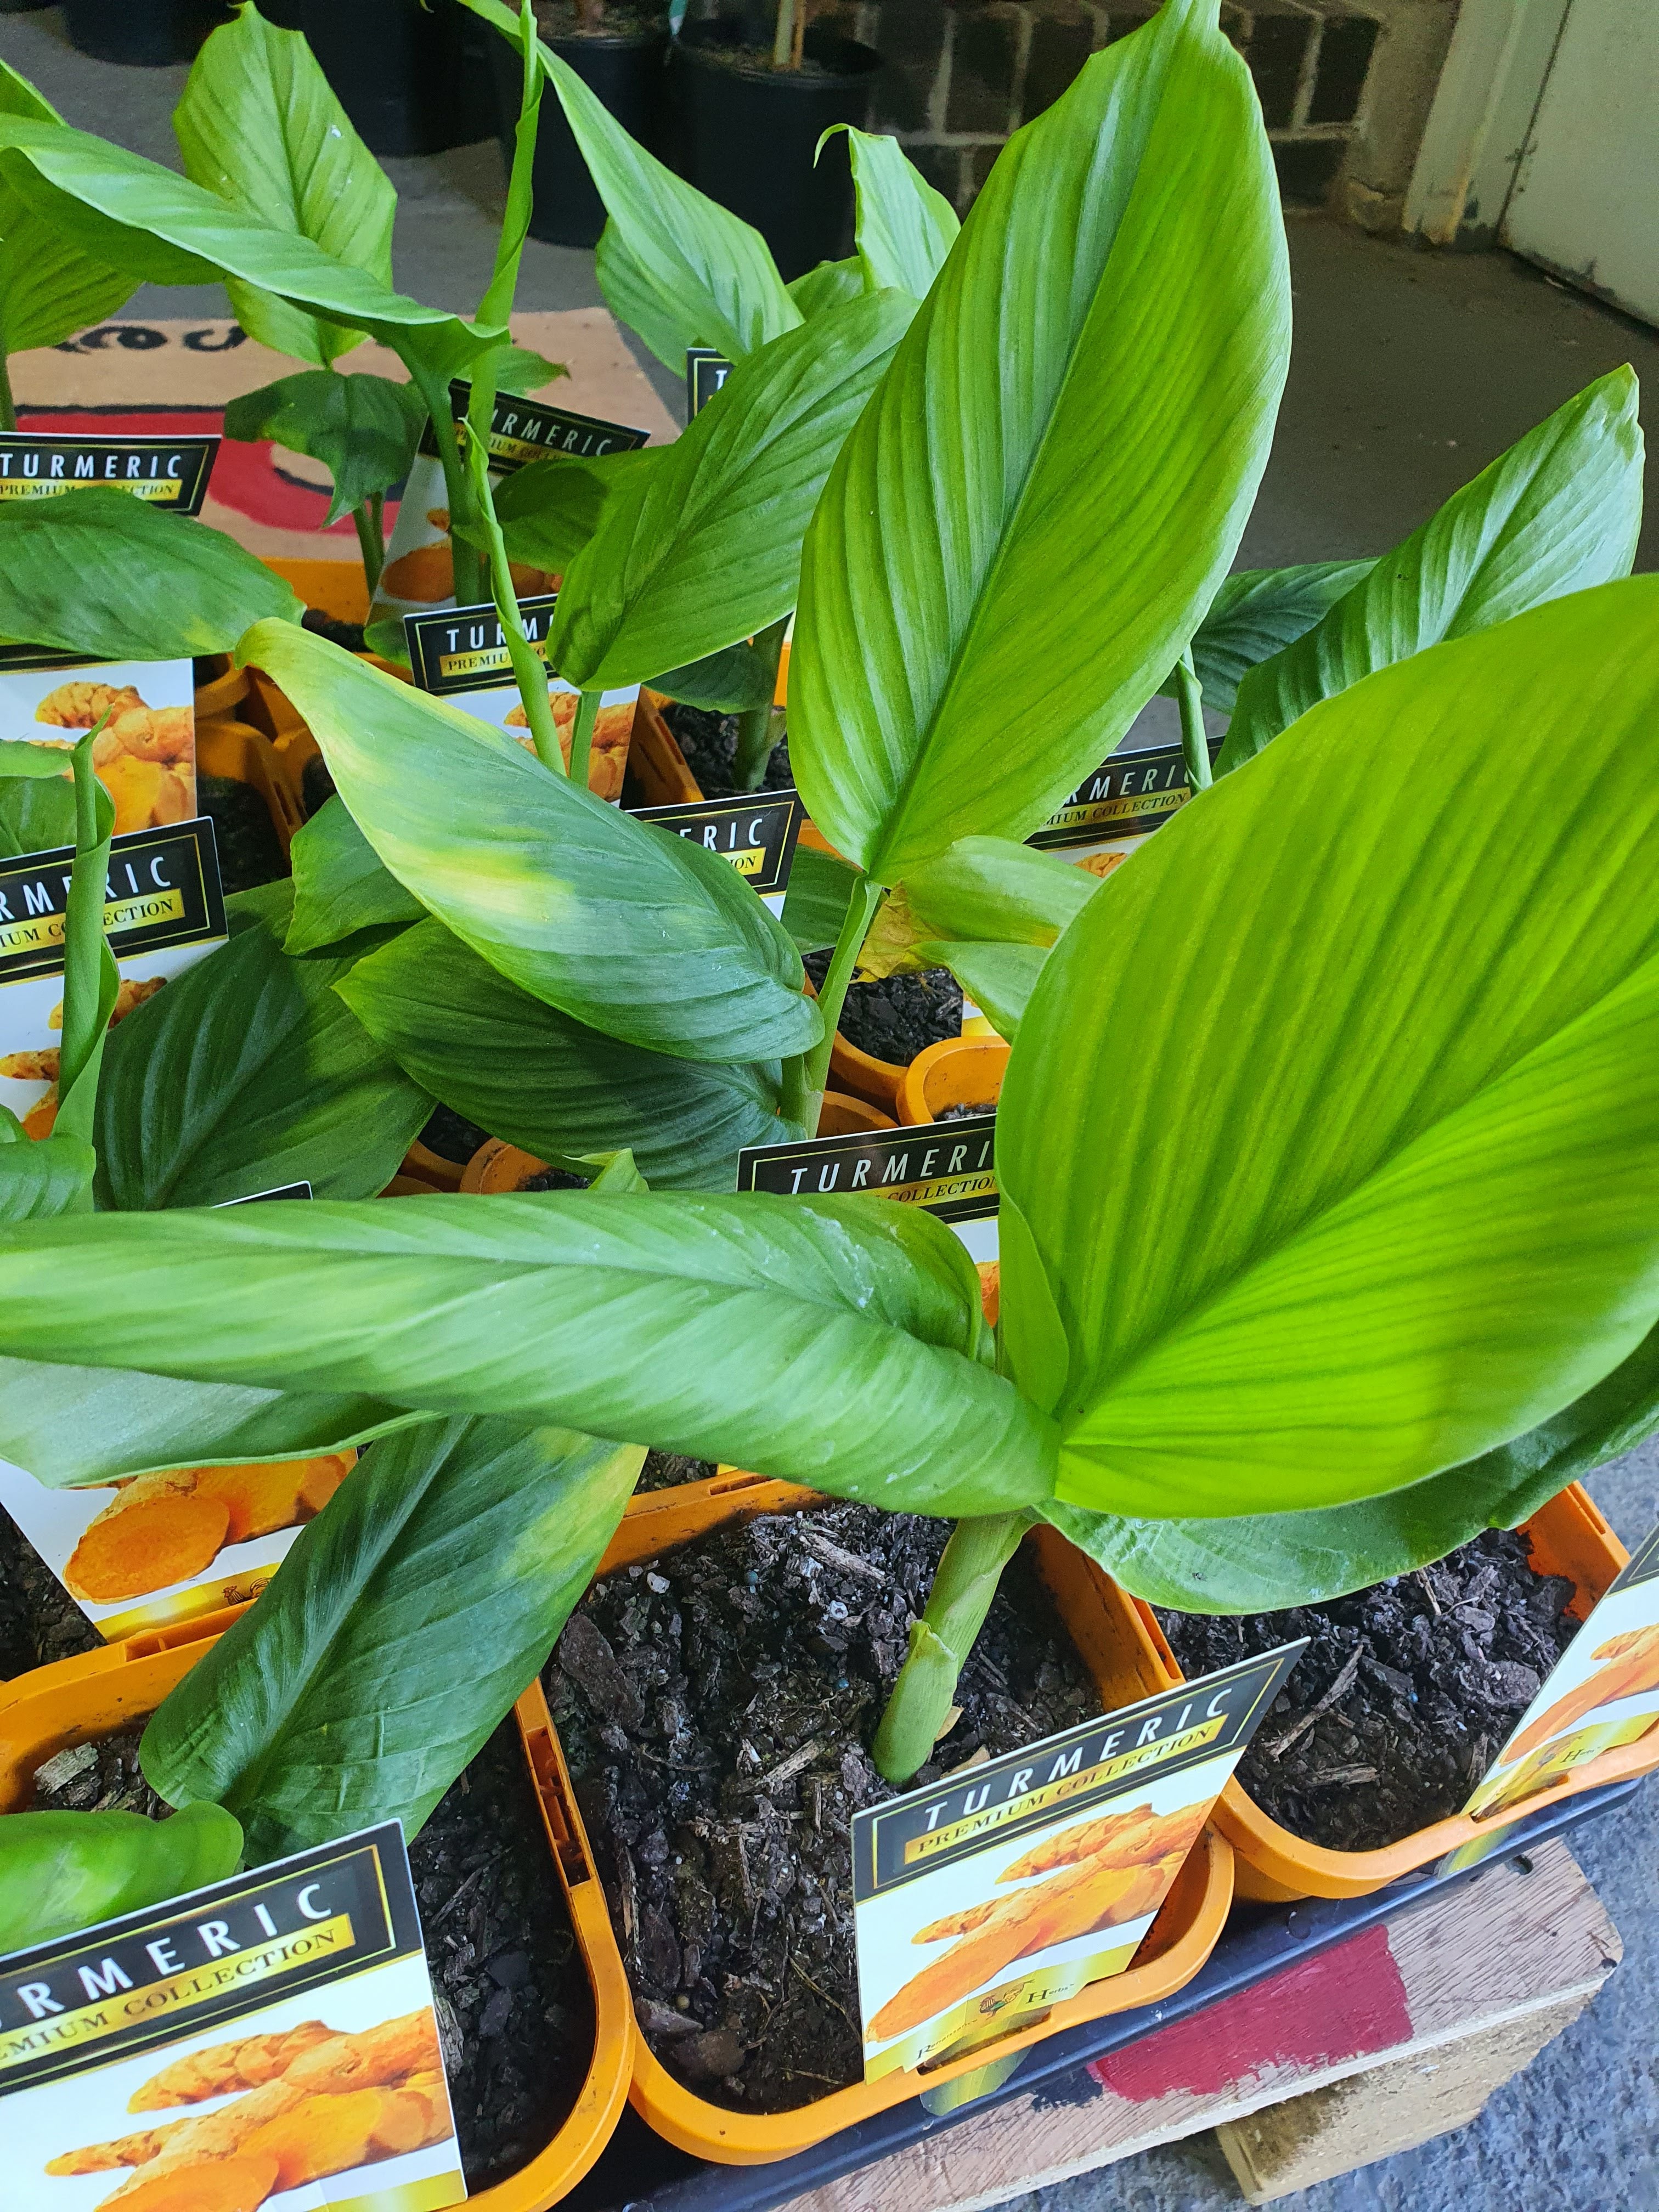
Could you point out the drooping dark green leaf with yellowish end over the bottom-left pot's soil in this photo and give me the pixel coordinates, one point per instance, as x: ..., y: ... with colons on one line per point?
x: 395, y: 1636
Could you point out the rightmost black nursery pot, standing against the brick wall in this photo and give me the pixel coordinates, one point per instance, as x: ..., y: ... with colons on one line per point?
x: 749, y: 136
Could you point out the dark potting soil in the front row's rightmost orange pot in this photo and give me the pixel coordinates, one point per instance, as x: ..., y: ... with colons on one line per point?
x: 1404, y: 1698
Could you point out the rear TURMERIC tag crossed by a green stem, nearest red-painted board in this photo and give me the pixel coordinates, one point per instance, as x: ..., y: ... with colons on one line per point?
x: 419, y: 570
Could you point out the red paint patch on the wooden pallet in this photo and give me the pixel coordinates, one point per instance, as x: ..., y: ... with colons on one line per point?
x: 1342, y: 2005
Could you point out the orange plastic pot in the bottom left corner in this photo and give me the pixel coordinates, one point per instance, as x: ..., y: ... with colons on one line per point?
x: 121, y: 1687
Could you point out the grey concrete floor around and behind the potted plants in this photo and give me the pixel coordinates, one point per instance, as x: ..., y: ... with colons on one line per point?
x: 1410, y: 375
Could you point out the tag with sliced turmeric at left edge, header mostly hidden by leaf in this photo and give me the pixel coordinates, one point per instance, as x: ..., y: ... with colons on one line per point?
x: 158, y: 1550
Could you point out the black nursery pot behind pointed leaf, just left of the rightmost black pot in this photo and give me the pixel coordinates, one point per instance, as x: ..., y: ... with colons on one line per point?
x: 627, y: 72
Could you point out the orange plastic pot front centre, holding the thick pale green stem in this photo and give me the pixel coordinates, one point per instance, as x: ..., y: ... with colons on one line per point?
x: 1173, y: 1950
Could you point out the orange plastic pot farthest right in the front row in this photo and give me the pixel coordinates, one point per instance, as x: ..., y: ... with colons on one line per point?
x: 1569, y: 1538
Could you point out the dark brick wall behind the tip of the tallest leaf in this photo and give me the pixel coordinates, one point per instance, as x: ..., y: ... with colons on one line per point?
x: 966, y: 74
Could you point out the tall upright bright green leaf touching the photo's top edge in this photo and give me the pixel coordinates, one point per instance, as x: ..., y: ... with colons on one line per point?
x: 1050, y: 483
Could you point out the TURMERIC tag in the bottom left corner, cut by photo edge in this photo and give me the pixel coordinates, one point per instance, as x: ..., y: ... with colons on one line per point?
x: 267, y: 2036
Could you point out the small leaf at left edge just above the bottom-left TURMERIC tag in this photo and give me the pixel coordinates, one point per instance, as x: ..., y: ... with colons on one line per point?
x: 72, y: 1870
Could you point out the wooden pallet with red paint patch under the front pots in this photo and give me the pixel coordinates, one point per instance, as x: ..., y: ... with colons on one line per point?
x: 1373, y: 2047
